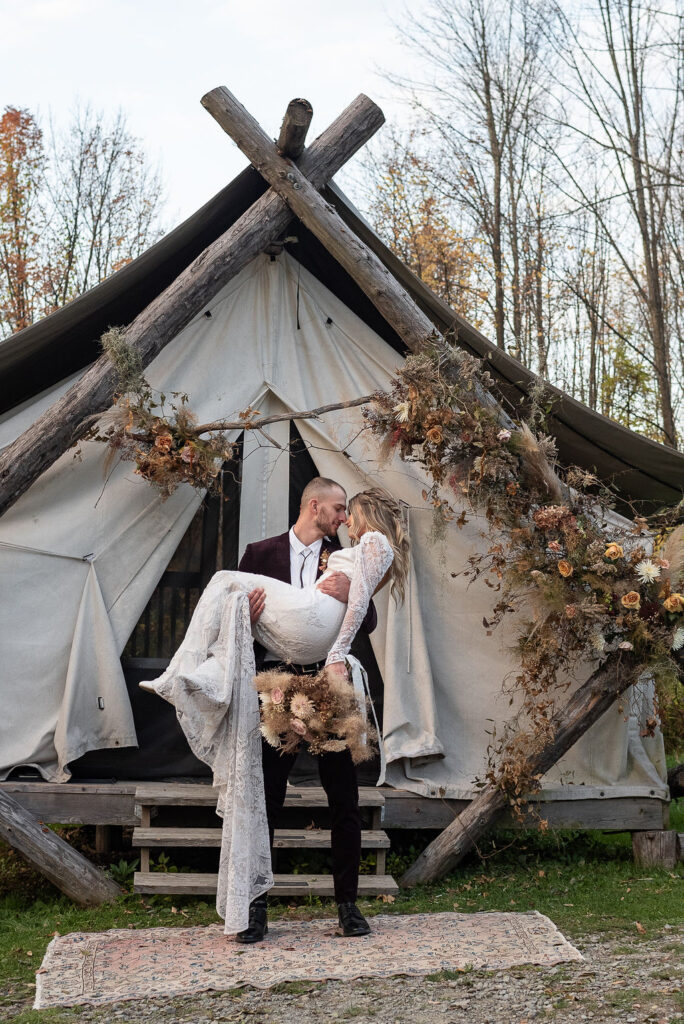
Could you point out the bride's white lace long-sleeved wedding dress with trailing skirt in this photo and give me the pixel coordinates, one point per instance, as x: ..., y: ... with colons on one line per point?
x: 210, y: 684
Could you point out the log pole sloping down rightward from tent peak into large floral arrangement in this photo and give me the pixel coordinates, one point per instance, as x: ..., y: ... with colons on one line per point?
x: 391, y: 300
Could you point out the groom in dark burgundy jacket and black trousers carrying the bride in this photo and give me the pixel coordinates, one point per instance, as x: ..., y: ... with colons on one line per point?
x: 298, y: 558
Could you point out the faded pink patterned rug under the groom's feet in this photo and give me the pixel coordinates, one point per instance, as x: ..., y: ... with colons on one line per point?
x: 105, y: 967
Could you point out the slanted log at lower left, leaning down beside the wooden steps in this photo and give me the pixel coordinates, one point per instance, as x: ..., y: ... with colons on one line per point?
x: 65, y: 867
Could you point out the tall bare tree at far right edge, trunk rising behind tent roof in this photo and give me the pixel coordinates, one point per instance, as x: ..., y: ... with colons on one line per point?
x: 624, y: 77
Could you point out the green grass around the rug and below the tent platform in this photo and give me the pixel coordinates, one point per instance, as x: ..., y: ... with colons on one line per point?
x: 585, y: 882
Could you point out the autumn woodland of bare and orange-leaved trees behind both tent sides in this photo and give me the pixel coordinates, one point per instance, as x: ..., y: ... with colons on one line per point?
x: 535, y: 183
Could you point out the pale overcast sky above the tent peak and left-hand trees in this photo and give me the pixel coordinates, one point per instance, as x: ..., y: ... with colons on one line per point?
x: 155, y: 59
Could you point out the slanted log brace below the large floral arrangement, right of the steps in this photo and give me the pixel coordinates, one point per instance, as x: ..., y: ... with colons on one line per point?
x: 585, y: 708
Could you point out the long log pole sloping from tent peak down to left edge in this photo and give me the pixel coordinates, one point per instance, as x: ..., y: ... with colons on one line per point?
x: 68, y: 419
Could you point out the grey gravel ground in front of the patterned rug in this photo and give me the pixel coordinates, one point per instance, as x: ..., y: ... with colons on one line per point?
x: 631, y: 979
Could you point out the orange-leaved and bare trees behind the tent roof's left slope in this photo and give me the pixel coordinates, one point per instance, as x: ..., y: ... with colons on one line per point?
x: 72, y: 214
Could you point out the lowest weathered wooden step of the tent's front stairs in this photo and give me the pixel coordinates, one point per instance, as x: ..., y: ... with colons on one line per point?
x: 181, y: 884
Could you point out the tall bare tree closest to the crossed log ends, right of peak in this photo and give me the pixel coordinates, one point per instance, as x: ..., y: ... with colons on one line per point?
x: 488, y: 78
